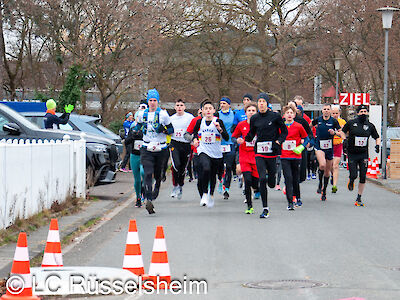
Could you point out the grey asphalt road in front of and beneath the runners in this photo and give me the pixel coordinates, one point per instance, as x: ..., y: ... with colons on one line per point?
x: 349, y: 250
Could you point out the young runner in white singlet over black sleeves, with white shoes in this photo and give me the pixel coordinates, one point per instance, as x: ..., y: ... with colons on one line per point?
x: 208, y: 132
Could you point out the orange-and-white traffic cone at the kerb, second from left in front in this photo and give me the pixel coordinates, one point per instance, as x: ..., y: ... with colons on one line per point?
x: 52, y: 253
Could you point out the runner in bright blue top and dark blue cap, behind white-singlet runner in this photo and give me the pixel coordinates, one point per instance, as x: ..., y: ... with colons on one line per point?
x: 227, y: 116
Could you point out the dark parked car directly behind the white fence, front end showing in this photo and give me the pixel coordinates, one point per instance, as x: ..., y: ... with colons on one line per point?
x: 101, y: 152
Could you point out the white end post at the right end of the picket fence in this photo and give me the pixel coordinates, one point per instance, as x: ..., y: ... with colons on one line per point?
x: 80, y: 167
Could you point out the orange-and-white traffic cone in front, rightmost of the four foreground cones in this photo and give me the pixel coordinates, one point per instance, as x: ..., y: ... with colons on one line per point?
x: 159, y: 261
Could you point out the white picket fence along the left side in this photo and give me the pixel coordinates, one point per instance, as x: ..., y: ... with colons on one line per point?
x: 35, y: 174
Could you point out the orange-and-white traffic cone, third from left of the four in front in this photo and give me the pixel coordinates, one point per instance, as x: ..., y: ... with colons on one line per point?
x: 133, y: 256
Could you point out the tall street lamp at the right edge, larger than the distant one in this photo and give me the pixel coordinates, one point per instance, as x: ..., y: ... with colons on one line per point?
x: 387, y: 16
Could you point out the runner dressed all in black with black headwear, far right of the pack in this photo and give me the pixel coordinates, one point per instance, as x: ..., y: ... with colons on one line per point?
x: 359, y: 130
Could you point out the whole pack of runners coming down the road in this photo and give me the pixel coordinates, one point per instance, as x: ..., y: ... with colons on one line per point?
x: 254, y: 144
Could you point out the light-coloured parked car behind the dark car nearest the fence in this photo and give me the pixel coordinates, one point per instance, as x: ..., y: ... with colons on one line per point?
x: 76, y: 122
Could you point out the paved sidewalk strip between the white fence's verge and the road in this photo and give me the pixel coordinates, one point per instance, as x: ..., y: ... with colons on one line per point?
x: 109, y: 196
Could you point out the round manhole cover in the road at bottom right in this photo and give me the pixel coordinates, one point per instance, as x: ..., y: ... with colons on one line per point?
x: 284, y: 284
